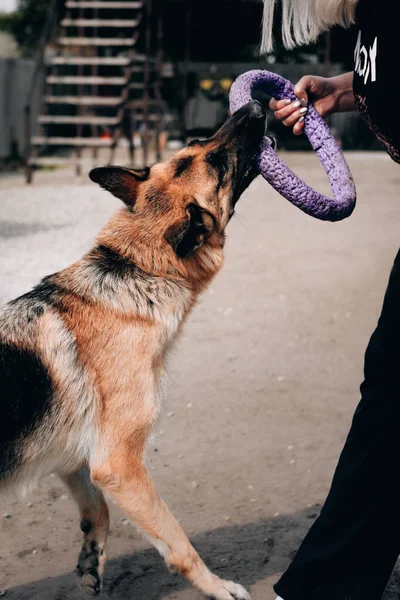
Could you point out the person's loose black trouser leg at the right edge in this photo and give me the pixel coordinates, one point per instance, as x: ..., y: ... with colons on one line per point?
x: 350, y: 551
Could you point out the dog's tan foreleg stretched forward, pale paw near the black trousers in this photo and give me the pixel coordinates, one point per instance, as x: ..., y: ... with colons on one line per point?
x: 128, y: 481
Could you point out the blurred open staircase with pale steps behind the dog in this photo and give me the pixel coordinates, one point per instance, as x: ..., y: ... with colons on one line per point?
x: 91, y: 78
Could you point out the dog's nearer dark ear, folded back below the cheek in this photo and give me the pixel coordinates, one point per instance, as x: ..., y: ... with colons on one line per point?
x: 189, y: 234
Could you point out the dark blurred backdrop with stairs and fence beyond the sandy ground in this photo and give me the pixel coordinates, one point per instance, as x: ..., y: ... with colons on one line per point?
x: 143, y: 74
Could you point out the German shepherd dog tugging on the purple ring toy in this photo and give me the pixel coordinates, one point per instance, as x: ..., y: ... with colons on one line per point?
x: 82, y: 355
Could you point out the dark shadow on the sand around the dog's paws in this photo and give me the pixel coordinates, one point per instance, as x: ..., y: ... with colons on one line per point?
x: 245, y: 553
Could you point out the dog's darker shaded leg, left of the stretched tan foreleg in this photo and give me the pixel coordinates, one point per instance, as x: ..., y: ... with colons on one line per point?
x: 94, y: 524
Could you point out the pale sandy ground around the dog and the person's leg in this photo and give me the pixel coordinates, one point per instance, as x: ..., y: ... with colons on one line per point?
x: 263, y: 383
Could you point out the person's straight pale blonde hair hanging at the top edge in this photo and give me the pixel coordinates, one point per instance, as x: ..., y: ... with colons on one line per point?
x: 304, y: 20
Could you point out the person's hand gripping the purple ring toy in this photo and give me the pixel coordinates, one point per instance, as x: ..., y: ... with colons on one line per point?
x: 324, y: 93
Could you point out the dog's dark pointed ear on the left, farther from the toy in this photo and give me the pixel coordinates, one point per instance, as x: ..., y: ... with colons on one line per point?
x: 119, y: 181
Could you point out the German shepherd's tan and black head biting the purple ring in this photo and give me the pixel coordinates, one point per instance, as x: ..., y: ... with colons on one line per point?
x: 185, y: 203
